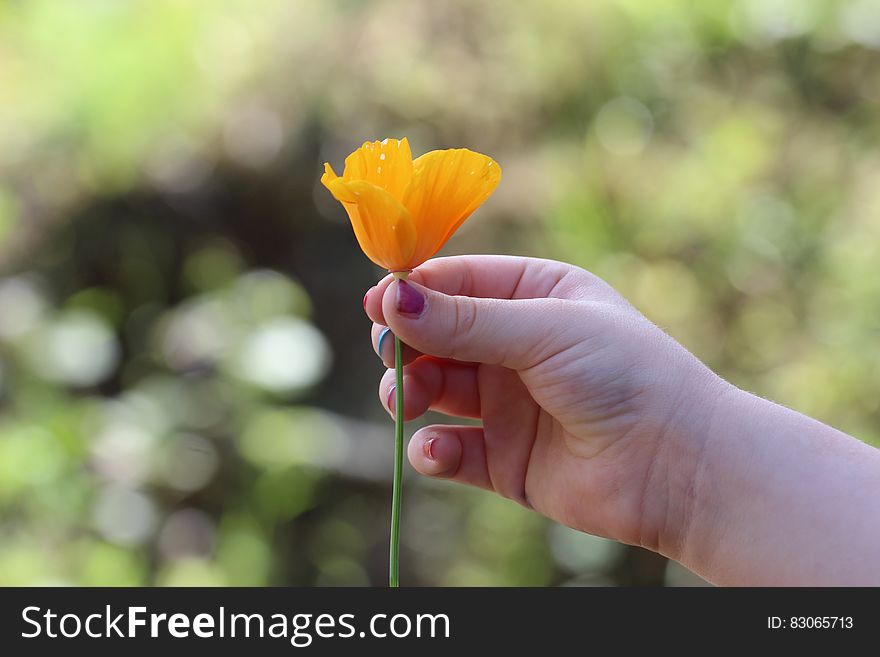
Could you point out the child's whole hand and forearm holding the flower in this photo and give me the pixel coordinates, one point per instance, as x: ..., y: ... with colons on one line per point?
x: 593, y: 416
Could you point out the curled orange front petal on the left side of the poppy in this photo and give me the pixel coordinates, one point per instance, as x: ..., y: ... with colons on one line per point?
x: 382, y: 225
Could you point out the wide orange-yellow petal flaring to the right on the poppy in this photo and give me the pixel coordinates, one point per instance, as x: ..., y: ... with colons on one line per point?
x: 447, y: 186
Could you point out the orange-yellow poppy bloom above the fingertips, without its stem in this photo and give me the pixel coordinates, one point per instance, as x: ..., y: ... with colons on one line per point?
x: 403, y: 210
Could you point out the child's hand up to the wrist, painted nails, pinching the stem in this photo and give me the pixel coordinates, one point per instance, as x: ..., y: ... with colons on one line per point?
x: 591, y: 414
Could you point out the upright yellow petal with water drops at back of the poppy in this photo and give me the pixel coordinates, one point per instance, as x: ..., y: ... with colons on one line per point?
x: 387, y: 164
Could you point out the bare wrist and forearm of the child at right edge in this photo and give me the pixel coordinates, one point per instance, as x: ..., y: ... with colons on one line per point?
x: 778, y: 498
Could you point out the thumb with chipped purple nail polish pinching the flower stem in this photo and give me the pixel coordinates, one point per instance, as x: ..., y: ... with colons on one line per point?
x: 514, y: 333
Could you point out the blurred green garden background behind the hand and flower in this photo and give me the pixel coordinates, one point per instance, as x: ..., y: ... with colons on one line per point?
x: 187, y: 387
